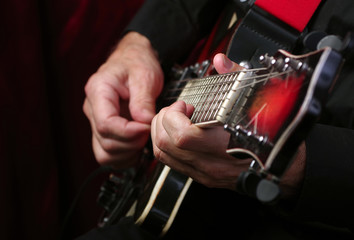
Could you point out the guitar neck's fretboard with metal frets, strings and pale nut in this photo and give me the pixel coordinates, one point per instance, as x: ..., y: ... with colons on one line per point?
x: 214, y: 97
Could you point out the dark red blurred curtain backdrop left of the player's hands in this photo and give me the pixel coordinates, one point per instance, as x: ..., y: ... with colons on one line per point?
x: 48, y: 50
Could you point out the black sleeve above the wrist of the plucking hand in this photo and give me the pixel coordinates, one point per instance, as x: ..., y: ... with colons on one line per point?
x: 175, y: 26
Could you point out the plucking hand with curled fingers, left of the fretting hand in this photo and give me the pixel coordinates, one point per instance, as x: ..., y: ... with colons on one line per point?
x: 120, y: 101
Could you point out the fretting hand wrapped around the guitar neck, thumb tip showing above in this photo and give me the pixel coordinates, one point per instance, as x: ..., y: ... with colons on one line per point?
x: 197, y: 152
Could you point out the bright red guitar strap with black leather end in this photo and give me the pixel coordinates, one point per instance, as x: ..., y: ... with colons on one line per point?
x: 270, y: 25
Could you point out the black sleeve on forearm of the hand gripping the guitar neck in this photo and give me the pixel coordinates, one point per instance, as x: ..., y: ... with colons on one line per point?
x: 328, y: 188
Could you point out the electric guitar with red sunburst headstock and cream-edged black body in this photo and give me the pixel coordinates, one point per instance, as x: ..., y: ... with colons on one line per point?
x: 268, y: 112
